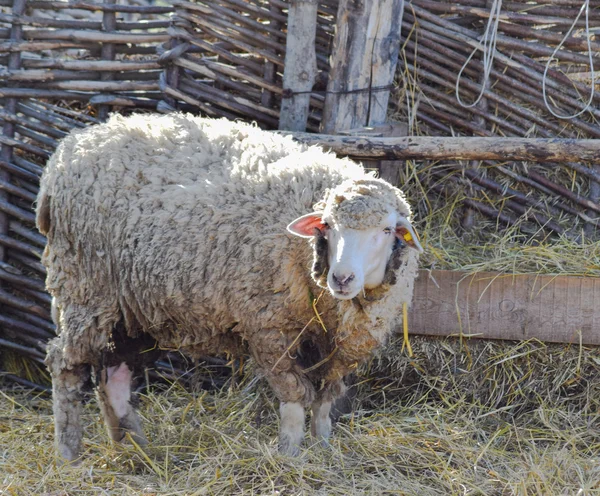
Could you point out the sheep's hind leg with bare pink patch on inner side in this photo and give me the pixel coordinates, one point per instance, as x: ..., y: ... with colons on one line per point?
x: 114, y: 394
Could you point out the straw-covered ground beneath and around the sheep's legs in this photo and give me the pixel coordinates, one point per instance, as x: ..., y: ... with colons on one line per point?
x: 457, y: 418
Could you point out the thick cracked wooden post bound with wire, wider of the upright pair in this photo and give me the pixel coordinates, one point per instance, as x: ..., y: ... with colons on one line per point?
x: 365, y: 54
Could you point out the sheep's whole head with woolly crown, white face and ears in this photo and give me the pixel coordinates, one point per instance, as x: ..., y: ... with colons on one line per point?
x: 360, y: 230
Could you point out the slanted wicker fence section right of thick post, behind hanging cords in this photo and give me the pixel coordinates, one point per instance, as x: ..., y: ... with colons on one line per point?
x: 439, y: 37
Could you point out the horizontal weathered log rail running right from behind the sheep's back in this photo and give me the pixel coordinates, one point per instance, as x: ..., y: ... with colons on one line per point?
x: 471, y: 148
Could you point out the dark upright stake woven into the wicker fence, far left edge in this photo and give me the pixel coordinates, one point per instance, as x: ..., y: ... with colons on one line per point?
x: 10, y: 107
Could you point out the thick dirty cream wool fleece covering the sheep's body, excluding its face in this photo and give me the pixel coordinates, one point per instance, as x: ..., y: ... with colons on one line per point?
x: 175, y: 226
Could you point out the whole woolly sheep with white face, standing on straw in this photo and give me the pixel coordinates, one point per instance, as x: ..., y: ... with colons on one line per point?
x: 194, y: 234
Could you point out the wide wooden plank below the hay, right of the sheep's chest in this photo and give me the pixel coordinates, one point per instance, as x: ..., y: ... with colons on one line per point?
x: 490, y: 305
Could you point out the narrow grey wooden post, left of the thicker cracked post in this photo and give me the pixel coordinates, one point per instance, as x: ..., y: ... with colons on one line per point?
x: 300, y: 65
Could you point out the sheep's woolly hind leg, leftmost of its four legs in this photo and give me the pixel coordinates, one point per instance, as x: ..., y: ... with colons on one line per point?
x: 67, y: 395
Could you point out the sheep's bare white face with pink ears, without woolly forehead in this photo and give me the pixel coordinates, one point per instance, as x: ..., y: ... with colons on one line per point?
x: 357, y: 258
